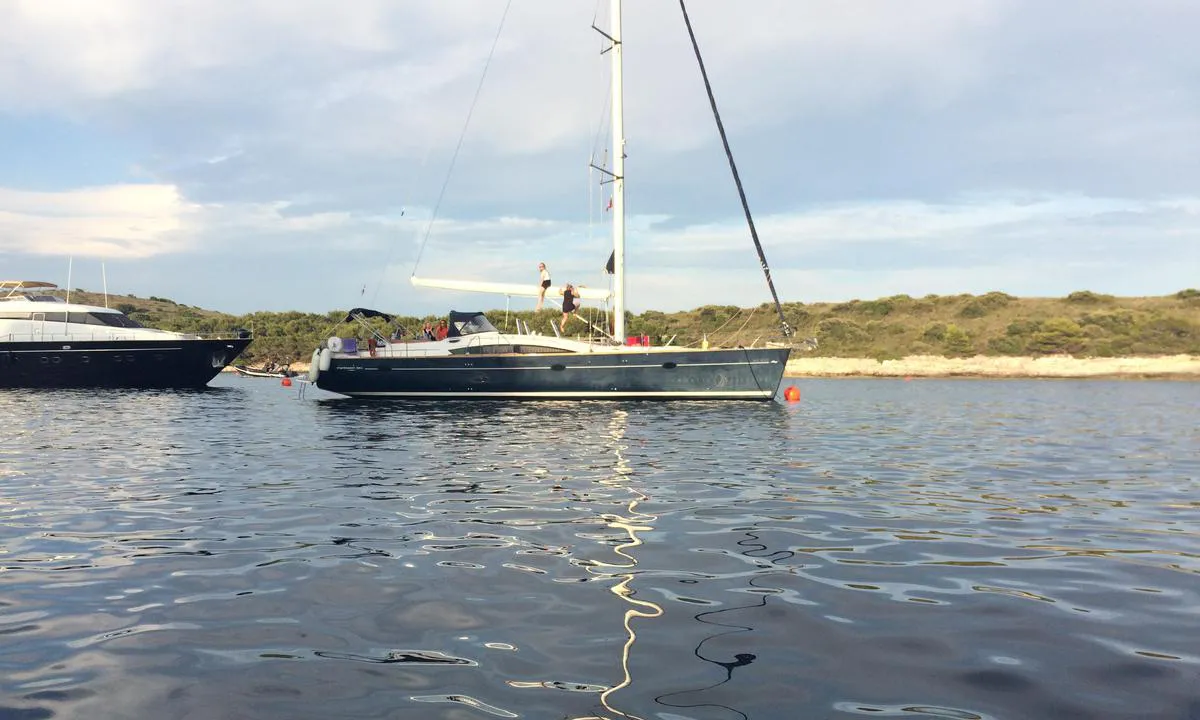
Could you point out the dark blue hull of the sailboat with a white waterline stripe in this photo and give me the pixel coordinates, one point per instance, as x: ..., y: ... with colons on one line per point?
x: 746, y: 374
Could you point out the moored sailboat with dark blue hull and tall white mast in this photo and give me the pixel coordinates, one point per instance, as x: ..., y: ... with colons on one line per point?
x: 478, y: 362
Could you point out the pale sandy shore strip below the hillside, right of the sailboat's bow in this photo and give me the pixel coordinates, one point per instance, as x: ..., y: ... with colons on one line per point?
x: 935, y: 367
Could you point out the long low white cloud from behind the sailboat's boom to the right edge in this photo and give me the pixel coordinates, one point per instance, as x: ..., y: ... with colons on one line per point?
x: 1046, y: 245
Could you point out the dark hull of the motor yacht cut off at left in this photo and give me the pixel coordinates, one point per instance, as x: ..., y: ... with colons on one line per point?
x: 116, y: 364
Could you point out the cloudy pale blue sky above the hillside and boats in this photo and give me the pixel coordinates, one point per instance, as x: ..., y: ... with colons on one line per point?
x: 265, y: 155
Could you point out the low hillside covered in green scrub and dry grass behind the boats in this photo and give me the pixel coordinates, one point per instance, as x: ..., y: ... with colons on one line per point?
x: 1083, y: 325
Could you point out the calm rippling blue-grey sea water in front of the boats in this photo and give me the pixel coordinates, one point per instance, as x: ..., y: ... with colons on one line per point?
x: 955, y: 549
